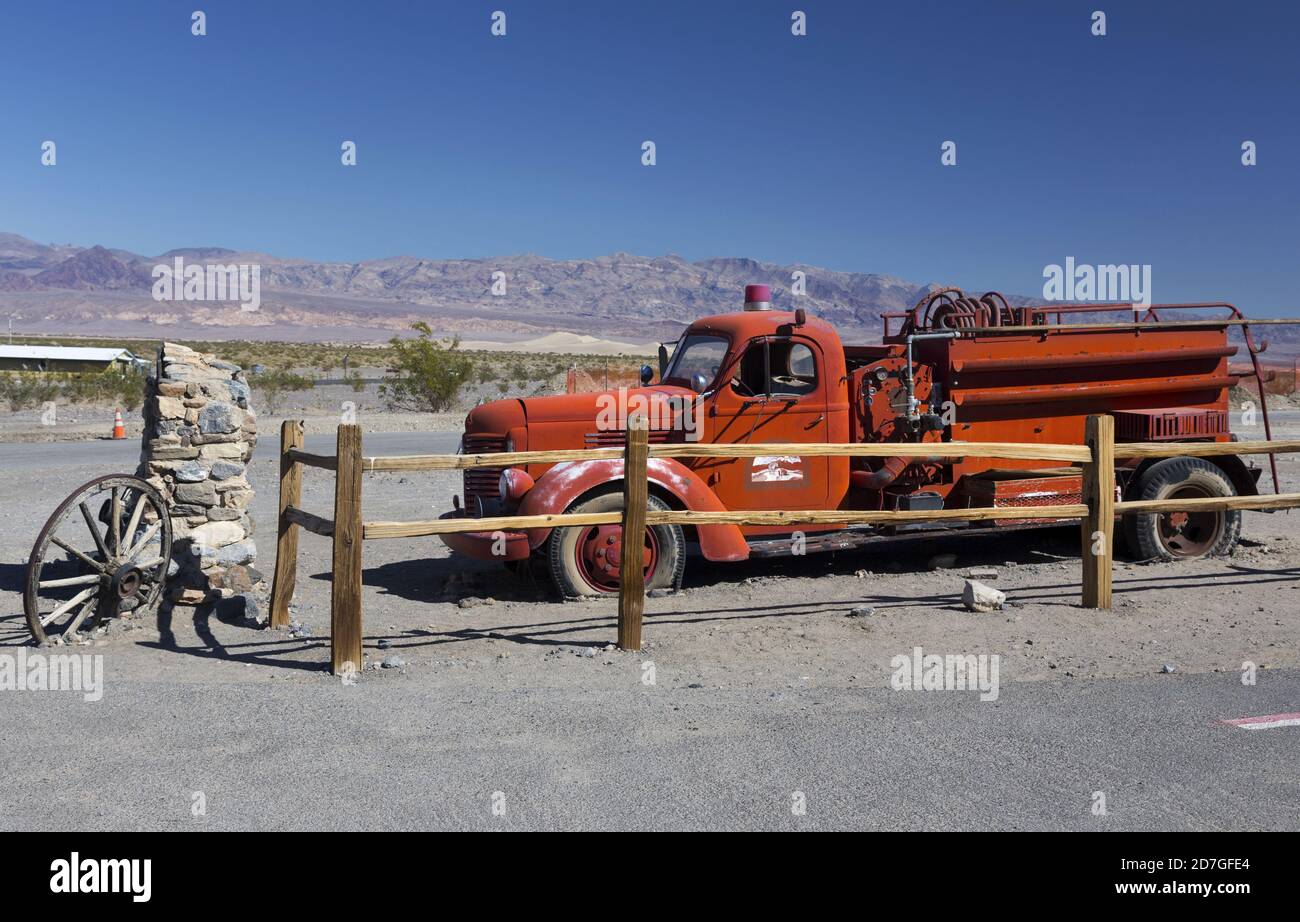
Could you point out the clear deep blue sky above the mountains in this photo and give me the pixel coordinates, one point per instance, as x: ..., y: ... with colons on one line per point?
x: 821, y: 150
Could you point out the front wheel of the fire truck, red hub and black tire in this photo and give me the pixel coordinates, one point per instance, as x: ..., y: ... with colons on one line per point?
x: 587, y: 560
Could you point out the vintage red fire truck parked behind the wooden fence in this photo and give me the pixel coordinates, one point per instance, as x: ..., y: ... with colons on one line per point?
x: 954, y: 369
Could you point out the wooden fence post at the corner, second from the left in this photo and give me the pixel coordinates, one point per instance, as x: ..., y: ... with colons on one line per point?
x: 346, y: 596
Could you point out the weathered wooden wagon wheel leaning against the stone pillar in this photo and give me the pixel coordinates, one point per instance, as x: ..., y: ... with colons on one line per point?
x: 105, y: 551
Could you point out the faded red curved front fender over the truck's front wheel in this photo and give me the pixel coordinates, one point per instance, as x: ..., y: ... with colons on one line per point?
x: 557, y: 490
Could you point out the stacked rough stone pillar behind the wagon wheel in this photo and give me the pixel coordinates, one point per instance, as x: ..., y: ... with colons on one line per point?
x: 200, y: 436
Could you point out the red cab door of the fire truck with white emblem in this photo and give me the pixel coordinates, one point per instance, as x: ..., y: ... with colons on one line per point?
x: 777, y: 393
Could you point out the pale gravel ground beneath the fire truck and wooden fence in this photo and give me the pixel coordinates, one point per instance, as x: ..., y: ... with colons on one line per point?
x: 736, y: 624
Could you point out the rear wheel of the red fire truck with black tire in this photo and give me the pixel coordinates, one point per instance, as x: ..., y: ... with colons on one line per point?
x: 1173, y: 536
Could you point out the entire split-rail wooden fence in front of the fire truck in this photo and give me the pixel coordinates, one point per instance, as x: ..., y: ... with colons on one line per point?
x: 348, y: 531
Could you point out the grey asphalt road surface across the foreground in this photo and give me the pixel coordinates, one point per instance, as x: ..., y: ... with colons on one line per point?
x: 601, y: 751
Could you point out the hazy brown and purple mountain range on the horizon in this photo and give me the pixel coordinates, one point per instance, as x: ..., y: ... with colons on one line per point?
x: 98, y: 291
